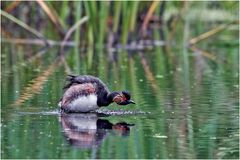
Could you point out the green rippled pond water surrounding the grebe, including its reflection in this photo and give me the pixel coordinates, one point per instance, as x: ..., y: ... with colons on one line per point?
x: 190, y: 112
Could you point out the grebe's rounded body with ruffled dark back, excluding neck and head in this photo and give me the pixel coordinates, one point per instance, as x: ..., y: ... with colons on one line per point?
x: 82, y: 93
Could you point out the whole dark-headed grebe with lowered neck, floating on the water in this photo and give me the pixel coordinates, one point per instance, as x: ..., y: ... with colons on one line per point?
x: 86, y: 93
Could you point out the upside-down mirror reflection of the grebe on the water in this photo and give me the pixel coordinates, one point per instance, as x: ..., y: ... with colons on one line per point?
x: 88, y: 130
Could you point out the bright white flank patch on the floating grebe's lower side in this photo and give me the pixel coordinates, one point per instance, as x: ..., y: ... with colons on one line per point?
x: 84, y: 104
